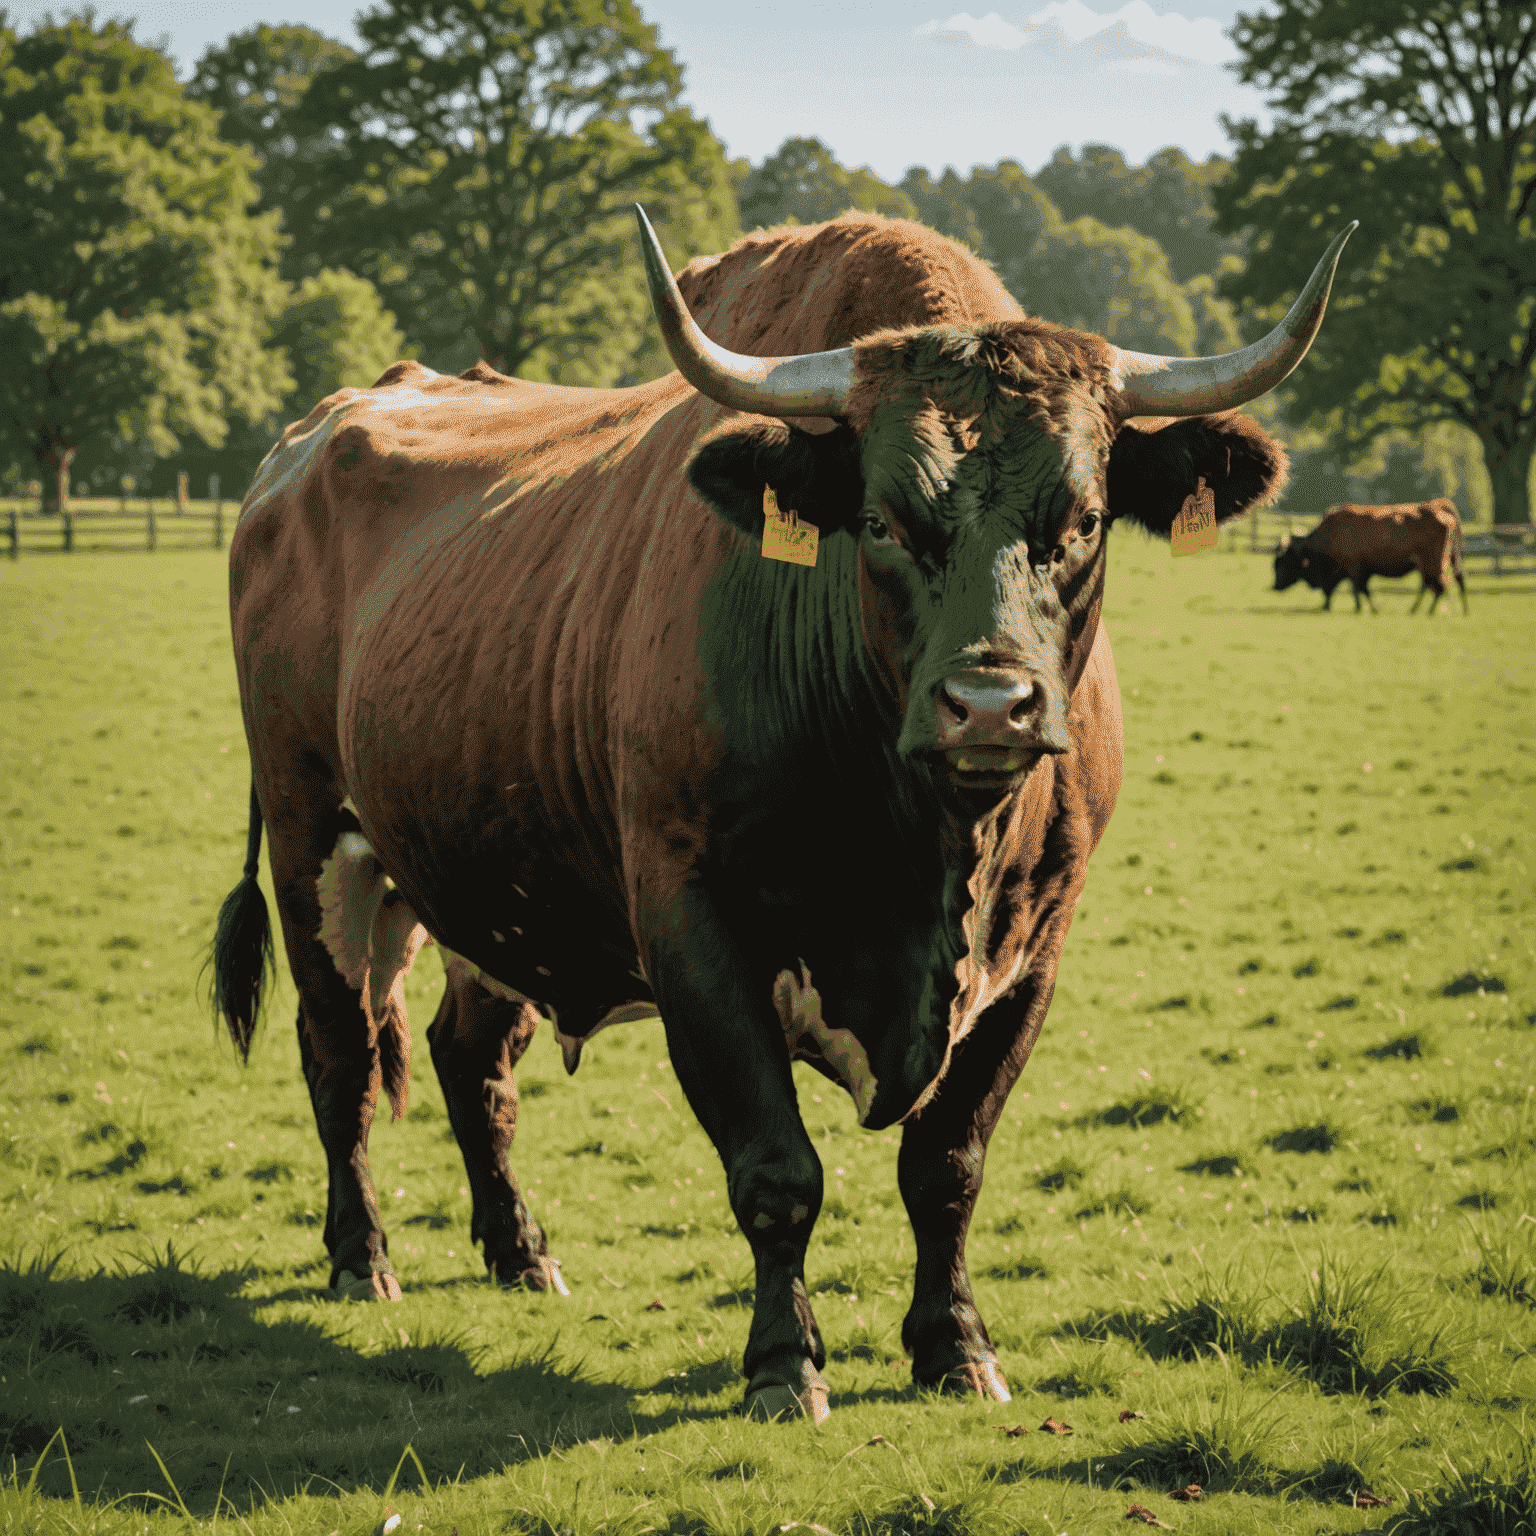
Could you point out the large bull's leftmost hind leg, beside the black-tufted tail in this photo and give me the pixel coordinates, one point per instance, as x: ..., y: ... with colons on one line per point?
x: 354, y: 1039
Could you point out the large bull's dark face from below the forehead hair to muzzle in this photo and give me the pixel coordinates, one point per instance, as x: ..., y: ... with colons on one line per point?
x: 982, y: 548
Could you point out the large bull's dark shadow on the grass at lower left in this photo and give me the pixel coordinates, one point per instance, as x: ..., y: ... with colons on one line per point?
x: 231, y: 1394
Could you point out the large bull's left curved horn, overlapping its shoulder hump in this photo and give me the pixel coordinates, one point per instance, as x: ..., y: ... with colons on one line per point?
x: 812, y: 385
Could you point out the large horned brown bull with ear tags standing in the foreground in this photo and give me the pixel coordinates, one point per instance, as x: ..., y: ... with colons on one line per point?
x: 515, y: 674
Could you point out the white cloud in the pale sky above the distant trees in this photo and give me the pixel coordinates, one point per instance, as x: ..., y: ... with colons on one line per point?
x: 1134, y: 38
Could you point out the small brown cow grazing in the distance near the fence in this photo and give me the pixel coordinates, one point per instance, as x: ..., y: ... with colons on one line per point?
x: 1362, y: 543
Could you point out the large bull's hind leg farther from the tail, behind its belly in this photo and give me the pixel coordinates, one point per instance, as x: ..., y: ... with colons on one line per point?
x: 477, y: 1041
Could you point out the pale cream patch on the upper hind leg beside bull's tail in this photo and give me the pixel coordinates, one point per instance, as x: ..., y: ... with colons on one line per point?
x: 366, y: 925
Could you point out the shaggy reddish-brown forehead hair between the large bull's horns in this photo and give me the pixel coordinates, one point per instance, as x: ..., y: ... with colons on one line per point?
x: 959, y: 388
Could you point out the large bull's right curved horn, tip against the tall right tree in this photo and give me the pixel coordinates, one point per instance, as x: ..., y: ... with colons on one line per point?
x: 1153, y: 386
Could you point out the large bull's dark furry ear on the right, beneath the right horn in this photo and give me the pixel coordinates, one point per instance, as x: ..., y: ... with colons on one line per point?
x: 1151, y: 472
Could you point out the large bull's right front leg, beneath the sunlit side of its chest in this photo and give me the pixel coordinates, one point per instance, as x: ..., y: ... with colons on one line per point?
x: 939, y: 1171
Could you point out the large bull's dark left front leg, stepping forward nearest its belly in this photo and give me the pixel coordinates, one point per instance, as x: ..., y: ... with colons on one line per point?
x: 730, y: 1056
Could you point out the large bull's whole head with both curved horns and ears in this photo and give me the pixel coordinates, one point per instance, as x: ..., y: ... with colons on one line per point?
x: 979, y: 469
